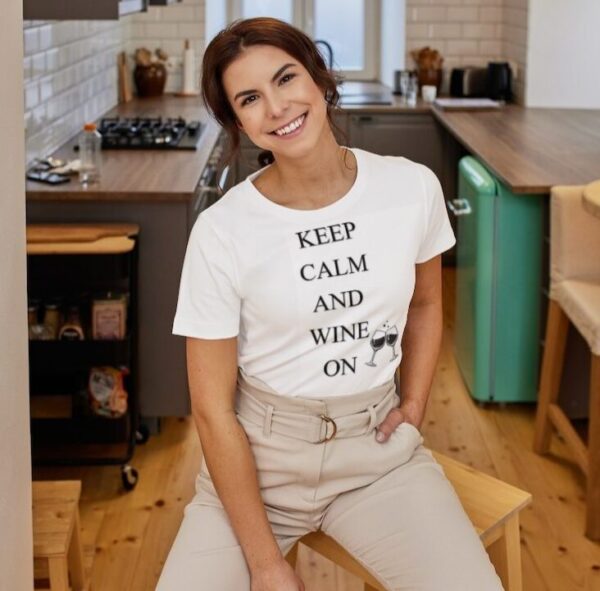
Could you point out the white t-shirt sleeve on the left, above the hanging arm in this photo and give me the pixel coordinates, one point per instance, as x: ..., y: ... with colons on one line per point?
x: 209, y: 302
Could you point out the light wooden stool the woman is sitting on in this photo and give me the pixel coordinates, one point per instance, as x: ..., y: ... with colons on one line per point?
x: 493, y: 507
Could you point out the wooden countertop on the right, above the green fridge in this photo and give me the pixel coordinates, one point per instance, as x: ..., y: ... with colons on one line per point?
x: 531, y: 150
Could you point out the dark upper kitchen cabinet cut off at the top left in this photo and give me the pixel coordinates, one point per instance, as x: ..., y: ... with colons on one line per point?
x: 81, y: 9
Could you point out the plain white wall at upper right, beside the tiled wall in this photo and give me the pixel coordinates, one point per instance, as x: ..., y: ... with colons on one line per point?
x: 563, y: 57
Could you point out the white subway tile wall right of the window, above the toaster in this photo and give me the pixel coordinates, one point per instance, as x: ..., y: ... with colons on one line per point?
x: 470, y: 32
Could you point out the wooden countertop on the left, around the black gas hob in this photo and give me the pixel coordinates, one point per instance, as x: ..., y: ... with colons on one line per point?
x: 141, y: 175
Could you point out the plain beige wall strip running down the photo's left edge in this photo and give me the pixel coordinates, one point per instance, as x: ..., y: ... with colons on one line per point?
x: 16, y: 557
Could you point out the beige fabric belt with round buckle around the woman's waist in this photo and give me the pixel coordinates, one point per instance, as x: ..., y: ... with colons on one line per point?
x: 315, y: 420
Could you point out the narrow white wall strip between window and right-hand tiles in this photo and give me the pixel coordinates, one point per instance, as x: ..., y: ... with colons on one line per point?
x: 392, y: 39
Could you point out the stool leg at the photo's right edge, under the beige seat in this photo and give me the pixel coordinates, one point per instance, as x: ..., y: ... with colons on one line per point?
x: 592, y: 530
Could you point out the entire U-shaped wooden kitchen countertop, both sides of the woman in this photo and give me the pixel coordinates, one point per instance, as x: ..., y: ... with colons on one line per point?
x: 530, y: 150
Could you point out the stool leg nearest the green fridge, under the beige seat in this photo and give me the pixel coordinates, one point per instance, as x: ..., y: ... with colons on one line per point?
x: 552, y: 364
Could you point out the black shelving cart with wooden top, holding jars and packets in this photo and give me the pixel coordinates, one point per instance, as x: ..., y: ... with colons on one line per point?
x: 72, y: 262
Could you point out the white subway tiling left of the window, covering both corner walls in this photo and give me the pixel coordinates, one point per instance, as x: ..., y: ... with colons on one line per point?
x: 70, y: 67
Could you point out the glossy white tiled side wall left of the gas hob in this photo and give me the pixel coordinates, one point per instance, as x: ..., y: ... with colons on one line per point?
x: 70, y: 77
